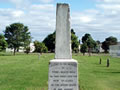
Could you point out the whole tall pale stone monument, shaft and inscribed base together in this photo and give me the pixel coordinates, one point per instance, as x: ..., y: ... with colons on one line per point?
x: 63, y: 70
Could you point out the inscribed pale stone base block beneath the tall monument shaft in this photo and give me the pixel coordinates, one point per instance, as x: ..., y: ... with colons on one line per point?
x: 63, y: 74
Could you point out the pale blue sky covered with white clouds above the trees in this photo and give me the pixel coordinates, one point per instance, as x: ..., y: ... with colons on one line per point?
x: 100, y: 18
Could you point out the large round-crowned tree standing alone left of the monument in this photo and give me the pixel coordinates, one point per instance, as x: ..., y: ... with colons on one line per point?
x: 17, y: 35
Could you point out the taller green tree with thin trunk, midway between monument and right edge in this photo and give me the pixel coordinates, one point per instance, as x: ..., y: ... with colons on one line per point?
x: 91, y: 44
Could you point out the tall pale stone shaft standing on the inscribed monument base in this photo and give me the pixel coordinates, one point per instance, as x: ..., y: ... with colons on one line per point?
x: 63, y: 33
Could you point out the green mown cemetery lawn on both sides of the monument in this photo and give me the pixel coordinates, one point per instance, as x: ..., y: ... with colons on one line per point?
x: 27, y: 72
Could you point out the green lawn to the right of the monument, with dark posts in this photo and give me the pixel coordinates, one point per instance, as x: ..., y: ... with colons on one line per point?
x: 93, y: 76
